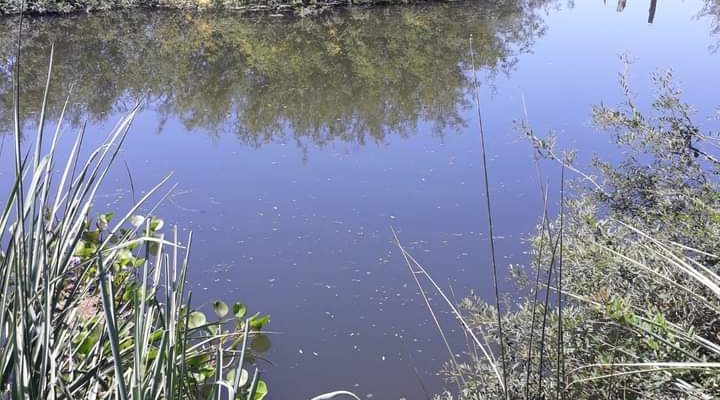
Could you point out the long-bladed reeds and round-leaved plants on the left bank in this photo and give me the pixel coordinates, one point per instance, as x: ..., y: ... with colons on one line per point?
x: 97, y: 308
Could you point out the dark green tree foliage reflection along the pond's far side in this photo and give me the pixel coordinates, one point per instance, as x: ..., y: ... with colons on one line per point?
x: 341, y: 76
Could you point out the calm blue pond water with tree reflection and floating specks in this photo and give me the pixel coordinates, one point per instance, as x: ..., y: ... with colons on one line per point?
x: 296, y: 144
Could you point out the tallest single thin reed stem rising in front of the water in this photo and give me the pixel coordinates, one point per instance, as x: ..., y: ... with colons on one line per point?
x: 501, y: 340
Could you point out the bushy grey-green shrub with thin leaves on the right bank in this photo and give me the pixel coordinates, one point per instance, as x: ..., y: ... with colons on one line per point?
x: 635, y: 255
